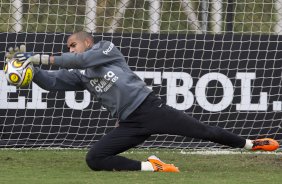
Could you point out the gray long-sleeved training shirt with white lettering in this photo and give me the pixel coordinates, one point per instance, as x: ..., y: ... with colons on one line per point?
x: 103, y: 71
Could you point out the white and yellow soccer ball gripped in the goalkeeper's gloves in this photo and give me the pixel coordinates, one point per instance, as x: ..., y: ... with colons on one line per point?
x: 18, y: 73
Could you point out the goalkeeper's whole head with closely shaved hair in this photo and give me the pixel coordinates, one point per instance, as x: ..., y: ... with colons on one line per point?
x: 80, y: 41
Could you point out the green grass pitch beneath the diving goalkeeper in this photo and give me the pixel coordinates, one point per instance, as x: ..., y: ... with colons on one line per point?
x: 68, y: 166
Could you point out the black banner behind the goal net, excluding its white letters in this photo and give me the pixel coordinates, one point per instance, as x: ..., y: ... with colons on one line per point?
x: 197, y: 55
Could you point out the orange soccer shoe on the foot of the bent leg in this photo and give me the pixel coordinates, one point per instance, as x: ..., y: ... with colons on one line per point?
x: 160, y: 166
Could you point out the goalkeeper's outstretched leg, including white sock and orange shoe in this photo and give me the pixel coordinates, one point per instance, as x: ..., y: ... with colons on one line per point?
x: 179, y: 123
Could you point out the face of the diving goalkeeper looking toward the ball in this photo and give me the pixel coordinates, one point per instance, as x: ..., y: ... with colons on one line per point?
x: 76, y: 45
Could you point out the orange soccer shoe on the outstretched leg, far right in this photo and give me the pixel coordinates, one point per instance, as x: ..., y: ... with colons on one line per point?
x: 265, y: 144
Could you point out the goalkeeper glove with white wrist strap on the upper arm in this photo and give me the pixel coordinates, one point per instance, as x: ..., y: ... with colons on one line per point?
x: 37, y: 59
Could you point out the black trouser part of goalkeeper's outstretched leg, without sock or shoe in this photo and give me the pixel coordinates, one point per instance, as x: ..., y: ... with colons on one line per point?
x: 179, y: 123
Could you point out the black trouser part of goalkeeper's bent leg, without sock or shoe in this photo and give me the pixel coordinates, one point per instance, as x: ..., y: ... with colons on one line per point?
x: 103, y: 154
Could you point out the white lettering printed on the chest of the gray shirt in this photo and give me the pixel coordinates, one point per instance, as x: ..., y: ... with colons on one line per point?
x: 104, y: 84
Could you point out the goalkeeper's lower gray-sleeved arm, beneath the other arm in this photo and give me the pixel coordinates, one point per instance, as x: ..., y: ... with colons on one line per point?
x: 59, y: 80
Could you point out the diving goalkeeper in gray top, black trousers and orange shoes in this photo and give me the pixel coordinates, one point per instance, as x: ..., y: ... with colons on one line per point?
x: 102, y: 70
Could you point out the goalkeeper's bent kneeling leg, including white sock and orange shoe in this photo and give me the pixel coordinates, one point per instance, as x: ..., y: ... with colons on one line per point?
x: 103, y: 155
